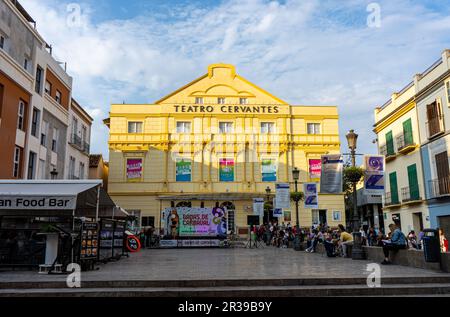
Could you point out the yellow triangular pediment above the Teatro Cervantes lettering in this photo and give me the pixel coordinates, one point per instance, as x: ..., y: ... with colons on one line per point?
x: 221, y: 81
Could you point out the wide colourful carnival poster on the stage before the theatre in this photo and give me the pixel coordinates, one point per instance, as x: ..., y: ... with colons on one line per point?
x: 195, y: 222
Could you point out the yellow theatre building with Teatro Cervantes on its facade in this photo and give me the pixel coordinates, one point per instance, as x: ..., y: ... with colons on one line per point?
x: 219, y: 141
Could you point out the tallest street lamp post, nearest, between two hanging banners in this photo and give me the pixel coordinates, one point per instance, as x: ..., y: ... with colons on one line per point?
x: 357, y: 253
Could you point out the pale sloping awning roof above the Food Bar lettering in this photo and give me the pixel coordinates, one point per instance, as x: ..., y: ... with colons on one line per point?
x: 29, y: 188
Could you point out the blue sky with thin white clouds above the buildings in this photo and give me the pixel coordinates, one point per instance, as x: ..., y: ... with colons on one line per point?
x: 308, y: 52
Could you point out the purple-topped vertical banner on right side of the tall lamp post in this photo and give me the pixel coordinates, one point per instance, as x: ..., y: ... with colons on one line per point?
x: 374, y: 174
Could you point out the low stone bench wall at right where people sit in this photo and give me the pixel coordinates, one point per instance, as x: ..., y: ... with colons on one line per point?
x: 410, y: 257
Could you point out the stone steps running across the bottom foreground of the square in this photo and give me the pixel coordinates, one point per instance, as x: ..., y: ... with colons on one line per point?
x: 435, y: 285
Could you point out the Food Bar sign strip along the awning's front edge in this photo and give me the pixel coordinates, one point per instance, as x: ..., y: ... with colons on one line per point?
x: 38, y: 202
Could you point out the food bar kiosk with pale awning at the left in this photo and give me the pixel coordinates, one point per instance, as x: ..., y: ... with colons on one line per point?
x: 43, y: 223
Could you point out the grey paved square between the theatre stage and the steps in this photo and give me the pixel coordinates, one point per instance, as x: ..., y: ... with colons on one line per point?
x: 238, y: 263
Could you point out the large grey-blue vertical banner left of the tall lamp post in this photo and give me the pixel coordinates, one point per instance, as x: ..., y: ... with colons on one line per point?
x: 331, y: 174
